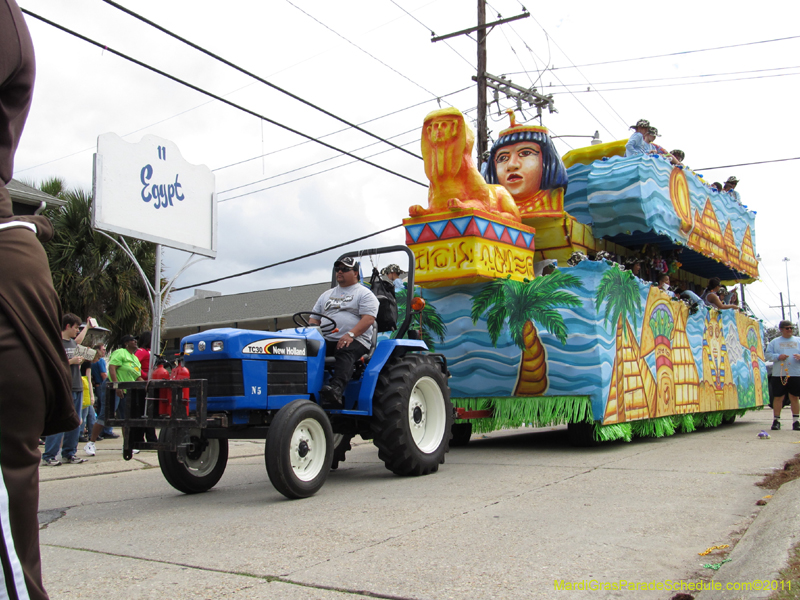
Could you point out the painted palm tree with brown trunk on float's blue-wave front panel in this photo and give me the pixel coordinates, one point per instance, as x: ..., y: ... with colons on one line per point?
x: 519, y: 304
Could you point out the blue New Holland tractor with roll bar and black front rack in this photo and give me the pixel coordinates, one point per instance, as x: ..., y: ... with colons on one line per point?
x: 247, y: 384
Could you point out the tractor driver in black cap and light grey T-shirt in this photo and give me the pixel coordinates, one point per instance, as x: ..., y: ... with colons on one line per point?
x: 354, y: 308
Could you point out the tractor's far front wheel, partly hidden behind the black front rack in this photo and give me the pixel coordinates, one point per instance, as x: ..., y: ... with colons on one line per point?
x: 205, y: 463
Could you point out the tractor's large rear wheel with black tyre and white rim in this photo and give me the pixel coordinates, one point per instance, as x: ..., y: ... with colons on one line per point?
x: 412, y: 415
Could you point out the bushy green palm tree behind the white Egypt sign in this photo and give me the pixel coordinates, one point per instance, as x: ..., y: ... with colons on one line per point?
x: 91, y: 274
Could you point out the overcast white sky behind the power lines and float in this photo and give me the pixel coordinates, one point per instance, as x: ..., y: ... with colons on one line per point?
x: 362, y: 60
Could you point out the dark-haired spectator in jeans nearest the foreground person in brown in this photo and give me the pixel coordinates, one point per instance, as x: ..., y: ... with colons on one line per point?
x: 71, y: 336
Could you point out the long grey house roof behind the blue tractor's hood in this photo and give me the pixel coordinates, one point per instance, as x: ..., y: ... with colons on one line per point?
x: 209, y: 308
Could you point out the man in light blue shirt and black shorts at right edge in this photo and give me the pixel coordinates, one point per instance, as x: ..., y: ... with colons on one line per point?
x: 784, y: 351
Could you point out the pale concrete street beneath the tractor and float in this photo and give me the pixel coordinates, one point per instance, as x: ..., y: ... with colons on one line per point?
x: 515, y: 514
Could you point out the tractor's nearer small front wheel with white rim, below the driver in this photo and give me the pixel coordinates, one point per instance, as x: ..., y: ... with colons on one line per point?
x: 299, y: 449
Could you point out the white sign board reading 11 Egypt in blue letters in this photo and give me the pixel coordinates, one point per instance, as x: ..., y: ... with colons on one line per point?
x: 149, y: 192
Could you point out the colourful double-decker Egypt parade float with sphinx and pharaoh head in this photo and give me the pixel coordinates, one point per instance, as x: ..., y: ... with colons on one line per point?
x: 590, y: 344
